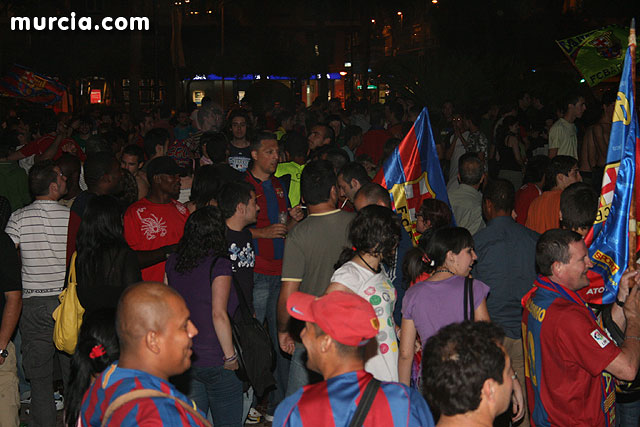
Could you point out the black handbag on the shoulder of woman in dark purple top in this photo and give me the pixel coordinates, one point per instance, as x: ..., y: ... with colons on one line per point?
x: 252, y: 343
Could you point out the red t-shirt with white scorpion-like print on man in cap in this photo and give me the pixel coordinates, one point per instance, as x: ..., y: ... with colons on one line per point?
x: 149, y: 226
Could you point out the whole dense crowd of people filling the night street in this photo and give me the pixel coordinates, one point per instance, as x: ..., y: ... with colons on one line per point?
x: 174, y: 219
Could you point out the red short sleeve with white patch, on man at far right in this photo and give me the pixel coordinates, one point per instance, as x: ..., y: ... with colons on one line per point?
x: 582, y: 341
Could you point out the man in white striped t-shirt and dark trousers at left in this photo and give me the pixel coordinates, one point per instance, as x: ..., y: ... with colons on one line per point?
x: 39, y: 230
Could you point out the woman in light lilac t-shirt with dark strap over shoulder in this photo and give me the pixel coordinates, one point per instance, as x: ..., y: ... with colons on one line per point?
x: 439, y: 301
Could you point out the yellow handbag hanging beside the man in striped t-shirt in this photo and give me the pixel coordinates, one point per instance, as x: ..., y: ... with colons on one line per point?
x: 68, y: 315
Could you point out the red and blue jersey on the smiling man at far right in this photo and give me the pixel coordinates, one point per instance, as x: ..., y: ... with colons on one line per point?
x: 566, y: 353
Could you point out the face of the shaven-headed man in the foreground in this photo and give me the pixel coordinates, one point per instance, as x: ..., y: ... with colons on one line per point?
x: 176, y: 338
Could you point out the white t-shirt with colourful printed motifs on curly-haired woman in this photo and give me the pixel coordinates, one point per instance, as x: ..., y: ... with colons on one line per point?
x: 378, y: 290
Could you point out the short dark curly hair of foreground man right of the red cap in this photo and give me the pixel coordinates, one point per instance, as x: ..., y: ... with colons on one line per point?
x: 457, y: 361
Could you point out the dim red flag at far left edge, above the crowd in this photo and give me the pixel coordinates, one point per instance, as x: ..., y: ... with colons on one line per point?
x: 21, y: 82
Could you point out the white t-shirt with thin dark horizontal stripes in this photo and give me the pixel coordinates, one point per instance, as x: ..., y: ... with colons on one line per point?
x: 40, y: 230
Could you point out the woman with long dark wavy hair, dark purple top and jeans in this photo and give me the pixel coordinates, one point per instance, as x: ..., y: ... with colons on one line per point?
x: 201, y: 272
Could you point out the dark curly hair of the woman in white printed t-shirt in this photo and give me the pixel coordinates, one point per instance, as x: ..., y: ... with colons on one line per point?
x: 375, y: 230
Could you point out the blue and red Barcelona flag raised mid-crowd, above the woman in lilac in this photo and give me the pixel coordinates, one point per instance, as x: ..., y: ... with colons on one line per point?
x: 412, y: 173
